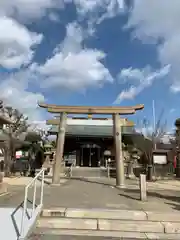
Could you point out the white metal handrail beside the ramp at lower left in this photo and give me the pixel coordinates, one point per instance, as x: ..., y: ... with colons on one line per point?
x: 33, y: 182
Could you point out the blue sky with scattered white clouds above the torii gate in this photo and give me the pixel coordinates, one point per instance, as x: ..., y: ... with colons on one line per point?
x: 89, y: 52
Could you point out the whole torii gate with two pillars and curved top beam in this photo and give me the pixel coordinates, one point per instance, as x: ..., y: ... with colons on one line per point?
x: 114, y: 111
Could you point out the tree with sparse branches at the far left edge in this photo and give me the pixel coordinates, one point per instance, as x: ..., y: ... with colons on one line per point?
x: 12, y: 131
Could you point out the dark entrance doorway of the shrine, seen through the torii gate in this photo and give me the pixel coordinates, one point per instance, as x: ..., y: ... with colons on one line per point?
x: 90, y: 155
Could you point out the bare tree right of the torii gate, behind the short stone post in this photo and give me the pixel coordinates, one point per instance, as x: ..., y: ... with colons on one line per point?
x: 147, y: 140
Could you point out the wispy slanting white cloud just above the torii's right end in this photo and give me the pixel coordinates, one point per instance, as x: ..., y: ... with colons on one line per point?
x: 142, y: 79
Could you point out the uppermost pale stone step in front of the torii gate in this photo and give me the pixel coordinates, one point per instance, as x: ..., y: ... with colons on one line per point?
x: 120, y: 214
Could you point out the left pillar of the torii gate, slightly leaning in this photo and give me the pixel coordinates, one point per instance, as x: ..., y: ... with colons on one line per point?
x: 59, y: 149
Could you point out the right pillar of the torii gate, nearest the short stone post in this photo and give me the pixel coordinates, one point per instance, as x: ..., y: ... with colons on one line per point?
x: 118, y: 151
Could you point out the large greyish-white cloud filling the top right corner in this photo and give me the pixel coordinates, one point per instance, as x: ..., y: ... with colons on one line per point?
x: 158, y: 22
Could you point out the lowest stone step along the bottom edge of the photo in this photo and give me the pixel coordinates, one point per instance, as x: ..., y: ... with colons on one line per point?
x: 56, y: 234
